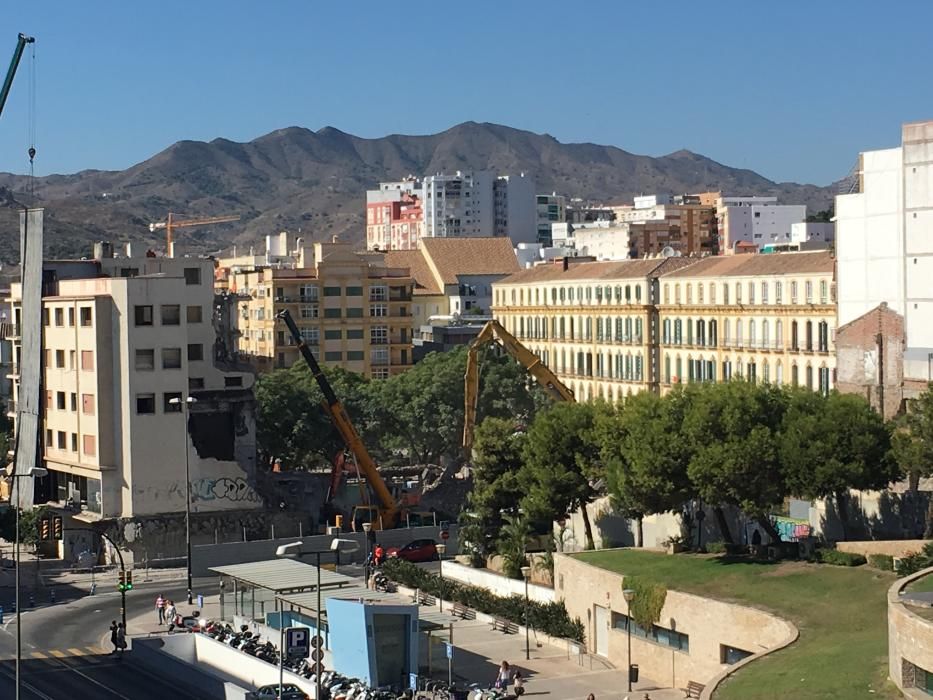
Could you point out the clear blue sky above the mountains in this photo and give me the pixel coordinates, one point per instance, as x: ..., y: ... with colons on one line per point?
x: 792, y: 90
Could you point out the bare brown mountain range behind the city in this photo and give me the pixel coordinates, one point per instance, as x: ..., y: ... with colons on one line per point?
x: 316, y: 181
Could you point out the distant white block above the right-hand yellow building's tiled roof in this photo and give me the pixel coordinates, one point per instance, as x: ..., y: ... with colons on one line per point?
x: 755, y: 221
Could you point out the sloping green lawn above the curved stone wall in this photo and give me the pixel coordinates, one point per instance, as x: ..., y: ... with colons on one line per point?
x: 840, y: 612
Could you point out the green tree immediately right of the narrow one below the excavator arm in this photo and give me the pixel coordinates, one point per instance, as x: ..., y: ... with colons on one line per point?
x: 562, y: 463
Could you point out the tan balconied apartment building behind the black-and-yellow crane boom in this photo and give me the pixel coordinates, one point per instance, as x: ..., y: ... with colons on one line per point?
x: 353, y: 310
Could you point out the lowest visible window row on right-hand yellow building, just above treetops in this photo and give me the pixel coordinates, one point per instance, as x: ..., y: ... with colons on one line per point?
x: 704, y: 370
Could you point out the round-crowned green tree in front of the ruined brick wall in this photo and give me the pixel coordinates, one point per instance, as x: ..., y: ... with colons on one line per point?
x: 832, y: 444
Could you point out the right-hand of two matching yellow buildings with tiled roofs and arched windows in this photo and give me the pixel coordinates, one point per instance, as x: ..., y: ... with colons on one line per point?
x: 769, y: 318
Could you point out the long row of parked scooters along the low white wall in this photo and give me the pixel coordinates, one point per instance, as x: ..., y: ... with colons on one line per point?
x: 334, y: 686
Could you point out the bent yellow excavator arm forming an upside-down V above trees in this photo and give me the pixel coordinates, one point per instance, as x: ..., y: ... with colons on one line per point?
x: 494, y: 332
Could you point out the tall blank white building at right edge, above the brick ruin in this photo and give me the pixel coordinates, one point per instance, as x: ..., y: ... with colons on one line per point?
x: 884, y: 242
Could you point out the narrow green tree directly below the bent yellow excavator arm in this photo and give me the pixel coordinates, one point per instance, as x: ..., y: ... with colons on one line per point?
x: 497, y: 460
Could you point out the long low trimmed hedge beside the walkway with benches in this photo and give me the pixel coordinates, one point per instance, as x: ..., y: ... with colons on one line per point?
x: 550, y: 618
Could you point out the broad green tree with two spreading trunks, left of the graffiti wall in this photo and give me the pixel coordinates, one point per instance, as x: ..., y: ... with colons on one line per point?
x: 732, y: 434
